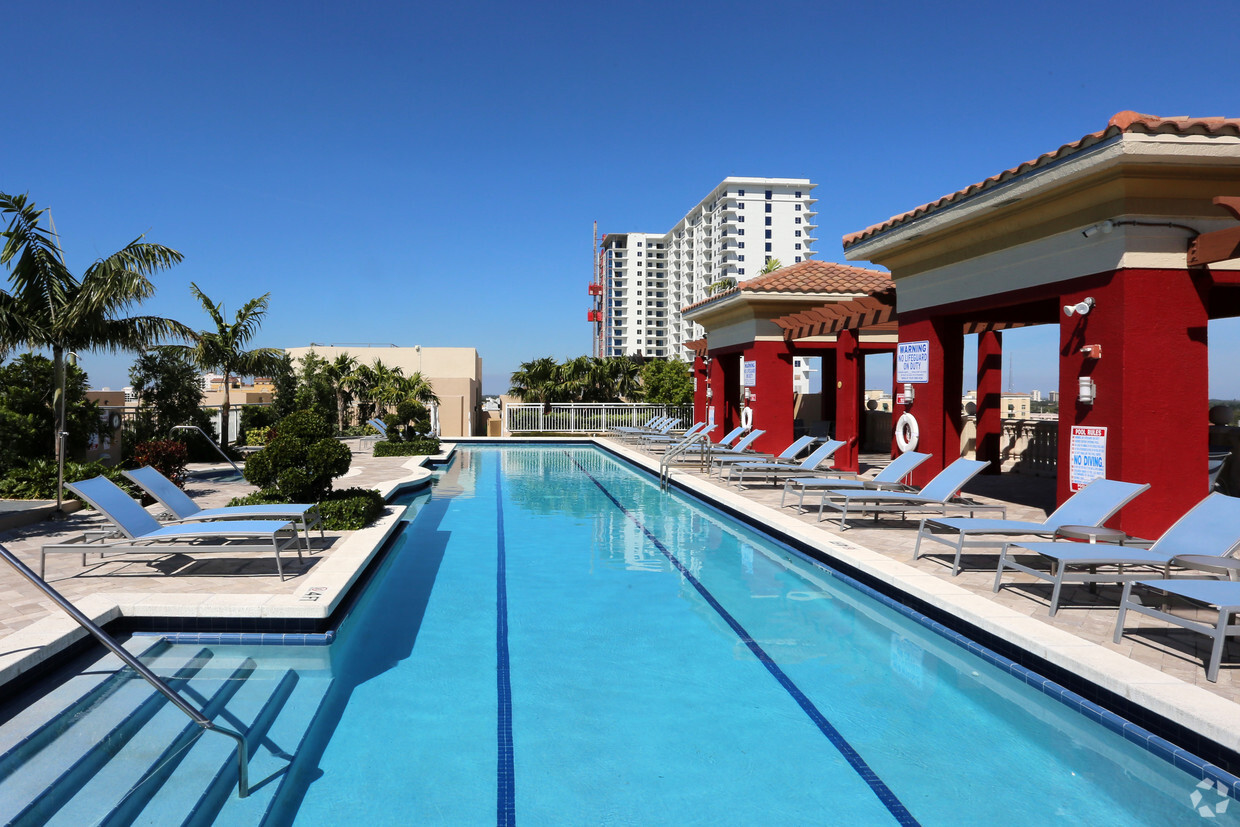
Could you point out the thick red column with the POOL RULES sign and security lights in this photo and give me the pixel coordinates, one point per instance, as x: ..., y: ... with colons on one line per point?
x: 1153, y: 390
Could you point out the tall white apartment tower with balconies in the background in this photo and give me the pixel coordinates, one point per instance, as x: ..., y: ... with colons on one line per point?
x: 643, y: 280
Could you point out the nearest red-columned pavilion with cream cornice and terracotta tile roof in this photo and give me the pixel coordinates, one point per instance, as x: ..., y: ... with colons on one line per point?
x: 1122, y: 240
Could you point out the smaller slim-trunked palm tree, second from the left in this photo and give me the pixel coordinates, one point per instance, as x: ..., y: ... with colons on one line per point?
x: 224, y: 349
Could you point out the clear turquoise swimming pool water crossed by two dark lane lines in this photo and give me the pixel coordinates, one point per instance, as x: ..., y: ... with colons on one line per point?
x: 555, y: 640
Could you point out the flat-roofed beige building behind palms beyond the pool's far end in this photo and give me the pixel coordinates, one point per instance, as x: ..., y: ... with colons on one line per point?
x: 456, y: 374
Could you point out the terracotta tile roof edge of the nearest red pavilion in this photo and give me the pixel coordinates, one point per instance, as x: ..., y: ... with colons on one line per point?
x: 1123, y: 122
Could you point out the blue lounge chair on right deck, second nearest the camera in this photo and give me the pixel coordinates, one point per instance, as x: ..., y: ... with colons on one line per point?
x: 1208, y: 533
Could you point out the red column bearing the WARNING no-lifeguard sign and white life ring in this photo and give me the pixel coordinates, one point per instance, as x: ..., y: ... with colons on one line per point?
x: 937, y: 404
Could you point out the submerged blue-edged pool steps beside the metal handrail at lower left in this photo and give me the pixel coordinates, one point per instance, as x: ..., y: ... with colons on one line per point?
x: 76, y: 756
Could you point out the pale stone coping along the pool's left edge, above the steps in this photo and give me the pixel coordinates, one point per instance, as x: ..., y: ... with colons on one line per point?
x: 328, y: 585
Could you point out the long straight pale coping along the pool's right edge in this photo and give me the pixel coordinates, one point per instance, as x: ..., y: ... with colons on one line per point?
x: 1164, y: 696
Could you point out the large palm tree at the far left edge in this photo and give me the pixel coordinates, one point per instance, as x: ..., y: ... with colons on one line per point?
x: 51, y: 308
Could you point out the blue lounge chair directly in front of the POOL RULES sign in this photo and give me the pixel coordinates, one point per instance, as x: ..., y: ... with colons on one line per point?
x: 1092, y: 506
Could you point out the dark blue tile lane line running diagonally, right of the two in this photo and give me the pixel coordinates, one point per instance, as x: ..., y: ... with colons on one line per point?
x: 859, y: 764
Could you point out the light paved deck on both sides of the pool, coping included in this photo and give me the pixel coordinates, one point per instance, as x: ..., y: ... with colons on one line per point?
x: 1160, y: 669
